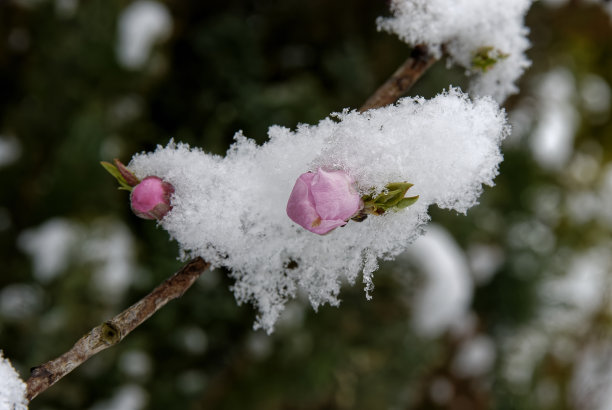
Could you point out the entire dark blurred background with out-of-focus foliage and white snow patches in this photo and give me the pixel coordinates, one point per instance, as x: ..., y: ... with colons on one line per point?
x: 516, y: 314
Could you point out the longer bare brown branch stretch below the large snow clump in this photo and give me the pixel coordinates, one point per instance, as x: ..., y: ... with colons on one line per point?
x: 113, y: 331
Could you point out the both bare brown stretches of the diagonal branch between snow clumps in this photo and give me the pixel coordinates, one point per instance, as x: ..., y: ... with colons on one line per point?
x: 114, y: 330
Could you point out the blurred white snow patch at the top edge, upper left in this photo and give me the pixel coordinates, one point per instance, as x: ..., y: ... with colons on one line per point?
x: 141, y: 25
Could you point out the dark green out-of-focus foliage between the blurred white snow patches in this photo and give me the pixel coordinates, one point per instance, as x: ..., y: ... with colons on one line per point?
x: 246, y: 65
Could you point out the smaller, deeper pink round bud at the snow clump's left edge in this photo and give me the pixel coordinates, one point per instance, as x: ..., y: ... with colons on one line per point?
x: 150, y: 199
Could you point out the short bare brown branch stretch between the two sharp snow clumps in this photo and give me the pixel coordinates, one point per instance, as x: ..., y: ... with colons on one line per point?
x: 401, y: 81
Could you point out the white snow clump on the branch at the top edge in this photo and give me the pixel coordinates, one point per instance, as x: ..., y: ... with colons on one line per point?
x: 464, y: 29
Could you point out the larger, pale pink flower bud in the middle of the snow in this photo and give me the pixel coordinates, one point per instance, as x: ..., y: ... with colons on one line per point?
x: 323, y: 200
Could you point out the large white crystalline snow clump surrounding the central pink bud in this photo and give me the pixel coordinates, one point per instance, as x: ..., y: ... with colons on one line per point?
x: 231, y: 210
